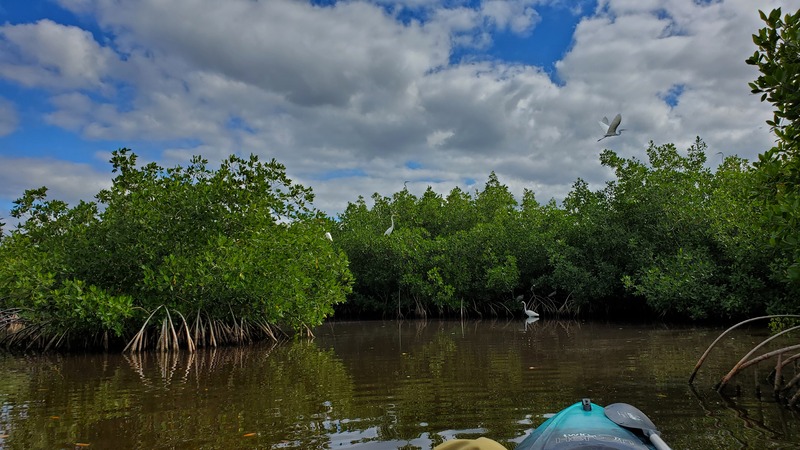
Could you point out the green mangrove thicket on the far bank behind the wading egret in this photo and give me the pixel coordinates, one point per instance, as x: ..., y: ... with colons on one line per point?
x: 666, y: 237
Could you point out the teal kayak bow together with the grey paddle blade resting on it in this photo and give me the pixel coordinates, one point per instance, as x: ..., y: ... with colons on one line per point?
x: 586, y: 425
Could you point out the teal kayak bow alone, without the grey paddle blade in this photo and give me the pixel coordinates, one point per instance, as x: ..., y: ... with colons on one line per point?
x: 581, y: 426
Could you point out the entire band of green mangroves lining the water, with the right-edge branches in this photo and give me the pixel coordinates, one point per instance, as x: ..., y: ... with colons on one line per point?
x: 186, y: 257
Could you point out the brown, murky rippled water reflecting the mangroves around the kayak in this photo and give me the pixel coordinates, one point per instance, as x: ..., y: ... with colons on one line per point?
x: 388, y: 385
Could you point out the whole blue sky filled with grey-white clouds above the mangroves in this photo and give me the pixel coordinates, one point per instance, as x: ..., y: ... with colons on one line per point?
x: 358, y: 97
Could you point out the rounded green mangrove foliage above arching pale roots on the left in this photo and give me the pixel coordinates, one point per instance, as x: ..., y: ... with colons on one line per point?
x: 235, y: 245
